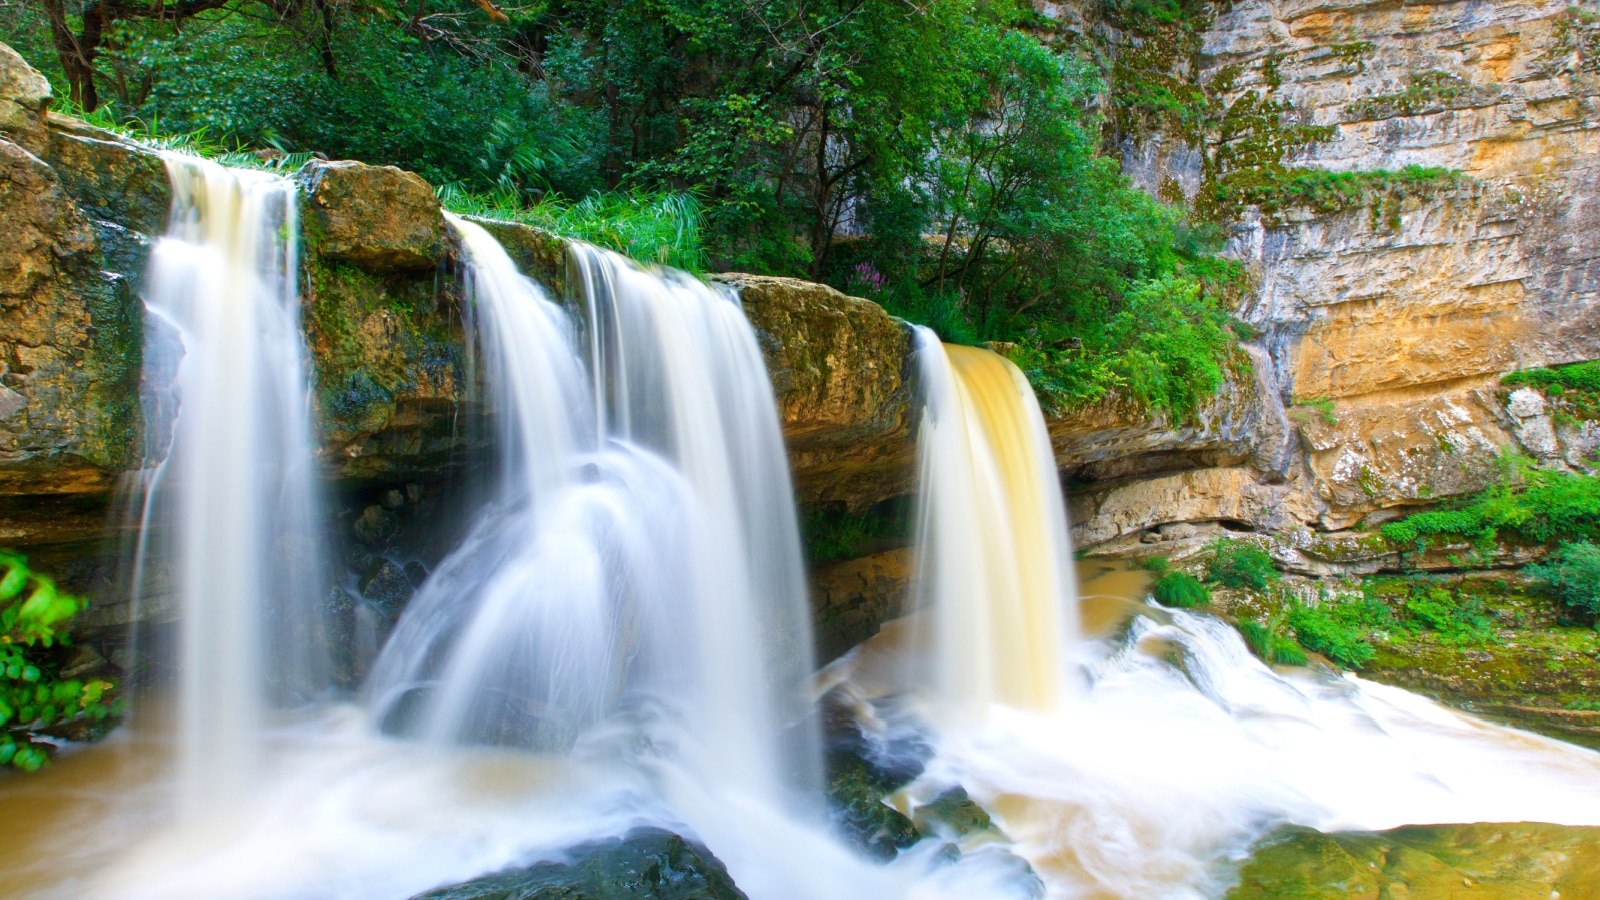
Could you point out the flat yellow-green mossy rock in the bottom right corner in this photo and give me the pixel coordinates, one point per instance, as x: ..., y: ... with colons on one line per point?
x: 1425, y: 861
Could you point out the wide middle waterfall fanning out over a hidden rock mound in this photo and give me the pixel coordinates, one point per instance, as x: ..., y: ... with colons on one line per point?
x: 642, y: 560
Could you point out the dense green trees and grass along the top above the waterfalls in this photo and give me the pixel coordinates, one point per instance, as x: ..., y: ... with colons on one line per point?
x: 961, y: 153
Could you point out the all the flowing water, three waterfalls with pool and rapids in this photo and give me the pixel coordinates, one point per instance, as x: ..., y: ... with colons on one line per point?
x: 622, y: 638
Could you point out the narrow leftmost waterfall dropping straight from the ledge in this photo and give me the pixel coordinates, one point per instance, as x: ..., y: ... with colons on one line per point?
x: 233, y: 500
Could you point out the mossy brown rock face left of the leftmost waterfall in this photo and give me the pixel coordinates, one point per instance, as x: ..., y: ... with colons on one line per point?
x: 71, y: 339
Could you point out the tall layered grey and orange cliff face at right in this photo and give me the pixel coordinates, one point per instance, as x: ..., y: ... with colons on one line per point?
x: 1401, y: 313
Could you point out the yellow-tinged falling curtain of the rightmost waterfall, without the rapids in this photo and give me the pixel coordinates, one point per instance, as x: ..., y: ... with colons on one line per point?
x: 996, y: 587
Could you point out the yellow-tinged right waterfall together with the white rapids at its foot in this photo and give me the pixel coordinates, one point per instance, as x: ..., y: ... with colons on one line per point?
x: 1153, y: 757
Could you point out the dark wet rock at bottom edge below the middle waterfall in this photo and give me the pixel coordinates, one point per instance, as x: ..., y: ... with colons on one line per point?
x: 647, y: 864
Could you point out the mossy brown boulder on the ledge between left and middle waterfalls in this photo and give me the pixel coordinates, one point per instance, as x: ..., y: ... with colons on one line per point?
x: 380, y: 219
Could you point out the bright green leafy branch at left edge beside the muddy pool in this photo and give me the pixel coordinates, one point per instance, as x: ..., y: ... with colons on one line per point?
x: 33, y: 696
